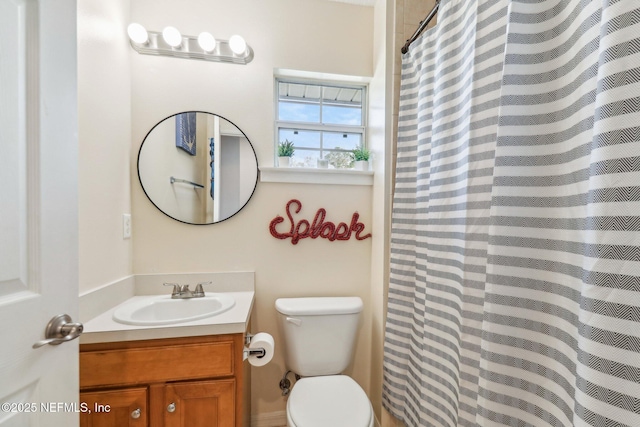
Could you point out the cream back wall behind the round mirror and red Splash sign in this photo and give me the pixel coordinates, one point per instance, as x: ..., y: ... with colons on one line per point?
x: 310, y: 35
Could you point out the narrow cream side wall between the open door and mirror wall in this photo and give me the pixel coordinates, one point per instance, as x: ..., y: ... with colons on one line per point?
x: 104, y: 136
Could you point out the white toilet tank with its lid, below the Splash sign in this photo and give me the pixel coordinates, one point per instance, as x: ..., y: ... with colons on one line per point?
x: 319, y: 333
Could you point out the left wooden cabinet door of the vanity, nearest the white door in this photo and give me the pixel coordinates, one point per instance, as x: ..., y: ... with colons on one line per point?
x: 115, y: 408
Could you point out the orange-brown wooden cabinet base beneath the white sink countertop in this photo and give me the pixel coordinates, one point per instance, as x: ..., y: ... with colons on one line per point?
x: 174, y: 382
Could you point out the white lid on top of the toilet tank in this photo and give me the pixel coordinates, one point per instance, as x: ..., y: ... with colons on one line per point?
x: 318, y: 306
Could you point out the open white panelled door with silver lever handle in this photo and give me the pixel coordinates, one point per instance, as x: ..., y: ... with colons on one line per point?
x: 38, y: 210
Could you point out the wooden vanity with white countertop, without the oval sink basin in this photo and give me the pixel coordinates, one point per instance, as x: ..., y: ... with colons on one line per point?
x: 187, y: 374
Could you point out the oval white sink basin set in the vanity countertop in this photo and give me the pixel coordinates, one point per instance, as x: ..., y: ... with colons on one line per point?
x: 162, y: 310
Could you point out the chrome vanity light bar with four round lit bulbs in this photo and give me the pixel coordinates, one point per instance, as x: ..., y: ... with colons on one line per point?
x: 170, y: 42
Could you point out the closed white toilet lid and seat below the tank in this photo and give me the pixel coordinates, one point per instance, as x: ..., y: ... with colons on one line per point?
x: 332, y: 400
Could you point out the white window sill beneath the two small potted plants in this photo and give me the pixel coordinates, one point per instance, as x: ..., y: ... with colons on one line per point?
x: 298, y: 175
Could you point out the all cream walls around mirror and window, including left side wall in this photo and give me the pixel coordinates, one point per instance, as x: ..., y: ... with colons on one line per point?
x: 122, y: 95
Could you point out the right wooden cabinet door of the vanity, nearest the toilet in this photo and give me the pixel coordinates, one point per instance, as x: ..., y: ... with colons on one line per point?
x: 200, y: 404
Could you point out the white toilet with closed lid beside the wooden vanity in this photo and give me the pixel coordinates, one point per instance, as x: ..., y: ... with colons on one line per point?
x: 319, y: 339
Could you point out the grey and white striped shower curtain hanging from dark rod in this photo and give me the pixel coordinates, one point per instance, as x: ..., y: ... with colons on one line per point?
x: 514, y: 296
